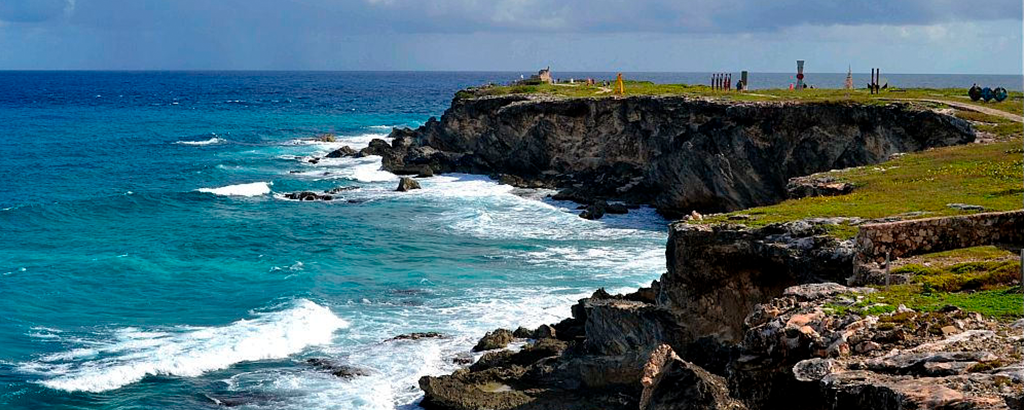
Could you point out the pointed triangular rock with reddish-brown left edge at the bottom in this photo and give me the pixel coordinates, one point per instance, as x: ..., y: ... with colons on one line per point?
x: 672, y: 384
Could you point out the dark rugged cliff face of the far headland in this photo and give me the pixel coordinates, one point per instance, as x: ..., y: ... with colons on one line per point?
x: 676, y: 153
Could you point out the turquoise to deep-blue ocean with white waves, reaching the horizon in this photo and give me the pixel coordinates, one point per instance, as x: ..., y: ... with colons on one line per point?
x: 150, y: 260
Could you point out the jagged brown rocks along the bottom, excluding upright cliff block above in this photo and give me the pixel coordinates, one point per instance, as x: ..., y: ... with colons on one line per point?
x: 796, y: 353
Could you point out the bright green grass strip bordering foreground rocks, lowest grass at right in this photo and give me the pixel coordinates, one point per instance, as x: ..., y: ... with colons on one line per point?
x: 1004, y: 304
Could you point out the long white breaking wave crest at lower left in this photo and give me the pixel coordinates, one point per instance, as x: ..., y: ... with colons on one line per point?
x: 133, y: 354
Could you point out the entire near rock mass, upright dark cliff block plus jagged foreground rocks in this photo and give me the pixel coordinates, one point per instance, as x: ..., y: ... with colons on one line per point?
x: 746, y: 319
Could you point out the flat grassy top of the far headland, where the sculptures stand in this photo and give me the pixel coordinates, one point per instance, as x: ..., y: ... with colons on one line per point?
x: 1012, y: 105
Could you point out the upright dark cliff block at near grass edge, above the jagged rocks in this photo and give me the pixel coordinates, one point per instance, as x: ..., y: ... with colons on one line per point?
x: 717, y: 274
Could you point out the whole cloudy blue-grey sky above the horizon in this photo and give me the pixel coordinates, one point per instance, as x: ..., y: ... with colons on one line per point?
x: 900, y: 36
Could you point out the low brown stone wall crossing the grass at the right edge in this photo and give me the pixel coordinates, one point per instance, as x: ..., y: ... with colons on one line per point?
x: 910, y: 238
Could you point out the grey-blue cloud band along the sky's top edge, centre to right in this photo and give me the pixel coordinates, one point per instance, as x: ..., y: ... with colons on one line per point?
x: 680, y: 16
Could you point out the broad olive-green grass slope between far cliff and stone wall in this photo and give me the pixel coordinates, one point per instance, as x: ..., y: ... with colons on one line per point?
x: 986, y: 175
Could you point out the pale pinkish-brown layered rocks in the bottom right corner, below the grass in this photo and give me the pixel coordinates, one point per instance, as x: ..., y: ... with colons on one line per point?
x: 800, y: 348
